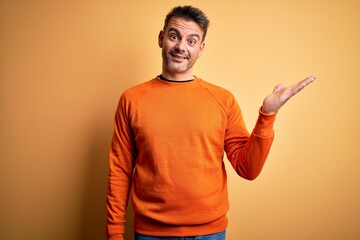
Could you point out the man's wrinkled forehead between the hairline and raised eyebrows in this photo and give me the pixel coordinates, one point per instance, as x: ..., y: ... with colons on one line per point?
x: 184, y: 26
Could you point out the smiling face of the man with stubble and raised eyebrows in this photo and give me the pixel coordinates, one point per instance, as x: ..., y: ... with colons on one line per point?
x: 181, y: 44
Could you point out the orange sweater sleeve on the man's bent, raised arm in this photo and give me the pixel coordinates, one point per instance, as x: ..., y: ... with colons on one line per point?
x: 248, y: 152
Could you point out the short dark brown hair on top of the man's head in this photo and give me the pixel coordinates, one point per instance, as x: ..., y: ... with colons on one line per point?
x: 189, y: 13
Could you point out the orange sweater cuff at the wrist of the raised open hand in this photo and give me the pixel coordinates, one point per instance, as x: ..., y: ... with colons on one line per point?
x: 264, y: 125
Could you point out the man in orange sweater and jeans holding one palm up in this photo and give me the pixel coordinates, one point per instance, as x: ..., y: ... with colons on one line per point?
x: 170, y: 137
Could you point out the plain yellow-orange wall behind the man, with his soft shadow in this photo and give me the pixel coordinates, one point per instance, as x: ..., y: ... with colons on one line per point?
x: 64, y: 64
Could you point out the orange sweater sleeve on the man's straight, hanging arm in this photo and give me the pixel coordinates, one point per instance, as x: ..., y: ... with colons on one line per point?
x: 121, y: 164
